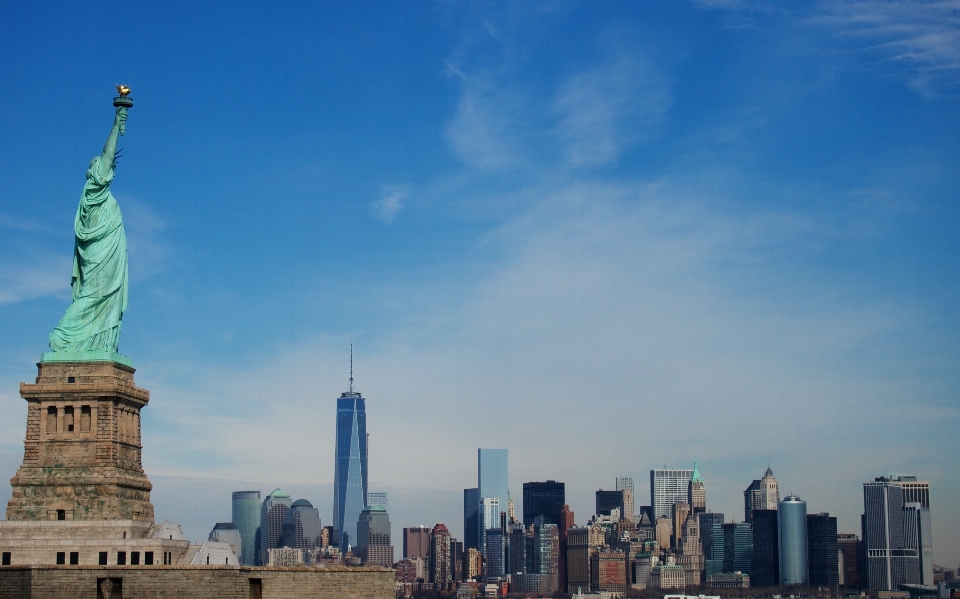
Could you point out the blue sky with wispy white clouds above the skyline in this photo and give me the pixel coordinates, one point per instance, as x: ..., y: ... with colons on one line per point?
x: 607, y: 237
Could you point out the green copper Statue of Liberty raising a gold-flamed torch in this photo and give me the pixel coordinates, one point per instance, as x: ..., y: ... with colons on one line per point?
x: 90, y: 329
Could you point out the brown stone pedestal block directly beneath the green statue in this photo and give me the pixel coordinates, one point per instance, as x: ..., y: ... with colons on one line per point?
x: 81, y: 458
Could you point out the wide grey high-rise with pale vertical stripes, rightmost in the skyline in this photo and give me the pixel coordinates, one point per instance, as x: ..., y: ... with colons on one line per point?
x: 895, y: 531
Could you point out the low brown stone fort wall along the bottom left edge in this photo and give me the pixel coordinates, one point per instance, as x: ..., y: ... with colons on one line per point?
x: 200, y: 582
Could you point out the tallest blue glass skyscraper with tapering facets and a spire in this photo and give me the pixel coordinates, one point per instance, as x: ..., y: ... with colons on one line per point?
x: 350, y: 474
